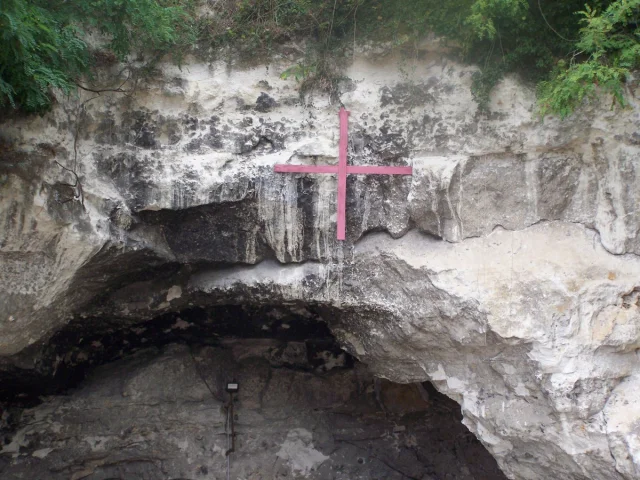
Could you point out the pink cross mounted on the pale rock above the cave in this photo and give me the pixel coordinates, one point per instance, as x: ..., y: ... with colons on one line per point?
x: 342, y: 169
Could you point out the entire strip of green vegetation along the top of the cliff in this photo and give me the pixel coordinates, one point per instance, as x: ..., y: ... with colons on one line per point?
x: 571, y: 49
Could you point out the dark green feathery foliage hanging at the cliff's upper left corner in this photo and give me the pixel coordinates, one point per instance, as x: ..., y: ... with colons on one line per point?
x: 43, y: 44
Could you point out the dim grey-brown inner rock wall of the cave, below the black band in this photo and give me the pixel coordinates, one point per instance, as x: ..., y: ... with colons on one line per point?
x: 163, y: 415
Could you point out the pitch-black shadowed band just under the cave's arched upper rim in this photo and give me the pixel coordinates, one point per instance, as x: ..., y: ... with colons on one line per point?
x: 87, y: 342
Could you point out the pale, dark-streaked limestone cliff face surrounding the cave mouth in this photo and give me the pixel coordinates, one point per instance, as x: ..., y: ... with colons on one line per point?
x: 506, y: 270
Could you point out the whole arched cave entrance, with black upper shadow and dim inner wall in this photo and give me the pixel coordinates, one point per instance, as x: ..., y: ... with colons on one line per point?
x: 154, y: 406
